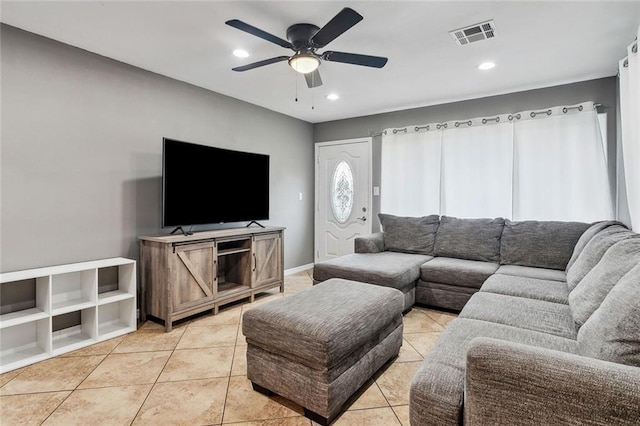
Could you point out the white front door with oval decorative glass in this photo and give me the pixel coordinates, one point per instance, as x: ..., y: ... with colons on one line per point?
x: 343, y: 196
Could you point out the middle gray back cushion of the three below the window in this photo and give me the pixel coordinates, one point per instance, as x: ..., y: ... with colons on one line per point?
x: 472, y: 239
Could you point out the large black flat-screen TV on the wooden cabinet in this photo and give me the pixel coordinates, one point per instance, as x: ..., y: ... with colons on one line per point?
x: 205, y: 185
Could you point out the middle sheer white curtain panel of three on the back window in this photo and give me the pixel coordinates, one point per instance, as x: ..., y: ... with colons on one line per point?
x: 476, y: 169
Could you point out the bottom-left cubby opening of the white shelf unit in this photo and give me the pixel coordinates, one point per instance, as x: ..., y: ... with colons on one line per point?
x: 24, y: 344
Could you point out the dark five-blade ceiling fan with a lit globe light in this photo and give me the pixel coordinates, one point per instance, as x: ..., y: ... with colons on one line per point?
x: 305, y: 40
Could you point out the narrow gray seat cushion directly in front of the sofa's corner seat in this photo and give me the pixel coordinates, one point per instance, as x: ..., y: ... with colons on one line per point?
x: 531, y: 288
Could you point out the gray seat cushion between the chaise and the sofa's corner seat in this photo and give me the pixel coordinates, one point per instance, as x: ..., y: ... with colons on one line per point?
x: 448, y: 270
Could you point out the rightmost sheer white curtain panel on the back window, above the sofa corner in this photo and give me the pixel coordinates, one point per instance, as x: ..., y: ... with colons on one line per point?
x: 560, y: 171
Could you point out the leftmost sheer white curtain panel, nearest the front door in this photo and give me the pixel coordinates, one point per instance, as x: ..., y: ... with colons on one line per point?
x: 410, y: 172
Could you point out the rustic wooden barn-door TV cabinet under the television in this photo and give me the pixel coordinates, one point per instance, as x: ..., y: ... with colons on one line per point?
x: 185, y: 275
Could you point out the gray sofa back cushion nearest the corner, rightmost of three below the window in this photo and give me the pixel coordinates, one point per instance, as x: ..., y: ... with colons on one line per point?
x: 539, y: 244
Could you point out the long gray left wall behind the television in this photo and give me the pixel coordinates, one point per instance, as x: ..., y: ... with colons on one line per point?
x: 81, y: 154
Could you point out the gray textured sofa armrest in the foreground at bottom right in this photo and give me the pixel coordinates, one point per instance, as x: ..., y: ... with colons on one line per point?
x: 514, y: 384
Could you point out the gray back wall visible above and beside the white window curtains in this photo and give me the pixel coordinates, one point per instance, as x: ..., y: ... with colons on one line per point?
x: 602, y: 91
